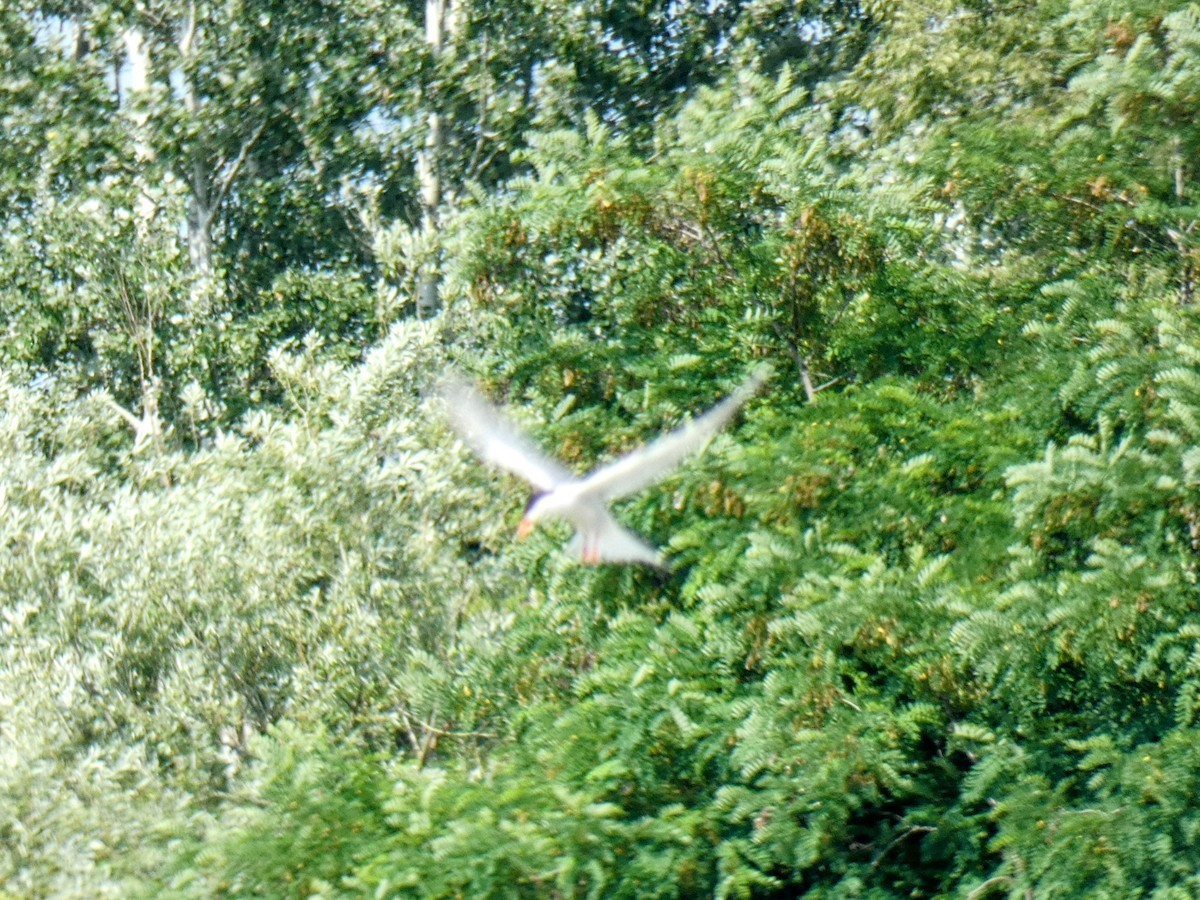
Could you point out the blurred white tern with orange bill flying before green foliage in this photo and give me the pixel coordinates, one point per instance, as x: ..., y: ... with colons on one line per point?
x: 584, y: 502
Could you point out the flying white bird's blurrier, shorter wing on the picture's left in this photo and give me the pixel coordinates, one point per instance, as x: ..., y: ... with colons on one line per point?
x: 490, y: 435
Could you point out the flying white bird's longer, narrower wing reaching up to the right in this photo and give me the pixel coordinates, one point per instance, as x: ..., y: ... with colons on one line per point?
x: 647, y: 465
